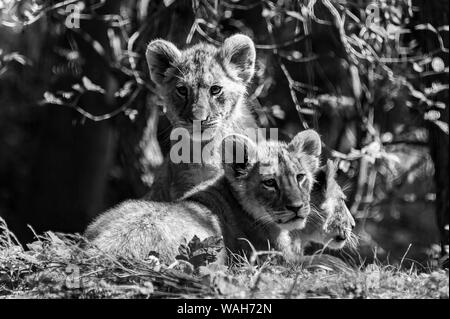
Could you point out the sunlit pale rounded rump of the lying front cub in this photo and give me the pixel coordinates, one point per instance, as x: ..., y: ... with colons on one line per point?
x: 135, y: 228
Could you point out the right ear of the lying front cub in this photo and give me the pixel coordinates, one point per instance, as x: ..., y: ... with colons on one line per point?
x: 307, y: 143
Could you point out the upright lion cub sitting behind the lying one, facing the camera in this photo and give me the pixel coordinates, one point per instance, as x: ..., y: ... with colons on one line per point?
x: 203, y: 85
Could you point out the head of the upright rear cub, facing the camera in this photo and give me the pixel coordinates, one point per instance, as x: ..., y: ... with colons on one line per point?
x: 202, y: 83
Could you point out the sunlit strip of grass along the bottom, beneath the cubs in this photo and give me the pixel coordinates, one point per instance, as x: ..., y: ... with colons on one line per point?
x: 66, y: 266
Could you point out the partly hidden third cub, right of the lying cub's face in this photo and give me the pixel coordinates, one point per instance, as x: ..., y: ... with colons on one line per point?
x: 330, y: 222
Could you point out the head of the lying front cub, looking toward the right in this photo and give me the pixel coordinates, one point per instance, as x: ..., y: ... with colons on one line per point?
x: 273, y: 180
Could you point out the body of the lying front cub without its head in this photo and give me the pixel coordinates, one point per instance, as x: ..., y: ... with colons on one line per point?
x: 135, y: 228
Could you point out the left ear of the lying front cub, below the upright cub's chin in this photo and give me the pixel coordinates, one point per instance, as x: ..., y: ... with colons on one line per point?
x: 238, y: 156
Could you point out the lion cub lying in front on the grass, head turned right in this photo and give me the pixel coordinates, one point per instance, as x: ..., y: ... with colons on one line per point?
x: 260, y: 198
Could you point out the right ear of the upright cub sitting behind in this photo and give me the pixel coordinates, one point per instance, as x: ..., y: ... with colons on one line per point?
x: 239, y: 55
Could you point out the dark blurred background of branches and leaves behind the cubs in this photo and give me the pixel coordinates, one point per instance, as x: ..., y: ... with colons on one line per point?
x: 81, y: 128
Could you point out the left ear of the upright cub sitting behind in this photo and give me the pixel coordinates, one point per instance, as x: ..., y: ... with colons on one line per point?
x: 160, y: 56
